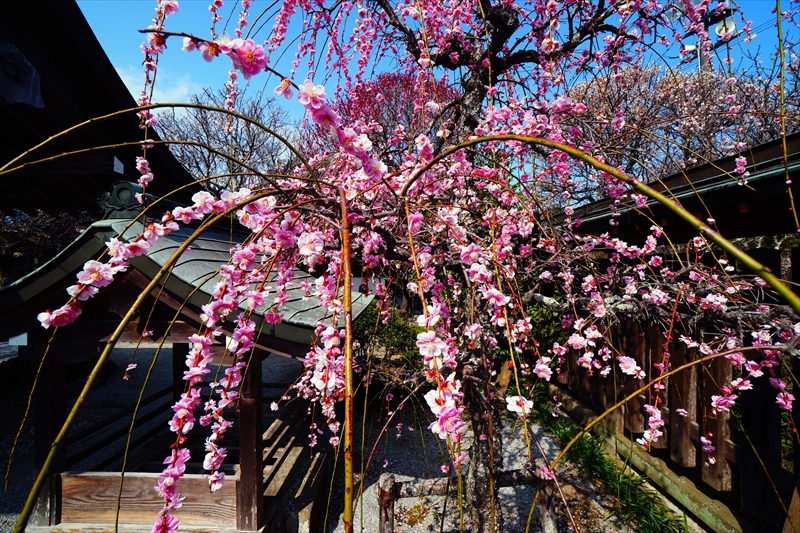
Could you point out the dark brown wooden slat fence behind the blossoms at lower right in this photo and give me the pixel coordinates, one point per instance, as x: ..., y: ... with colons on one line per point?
x: 754, y: 465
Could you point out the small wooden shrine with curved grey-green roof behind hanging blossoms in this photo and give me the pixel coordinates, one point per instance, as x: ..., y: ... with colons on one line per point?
x: 275, y: 471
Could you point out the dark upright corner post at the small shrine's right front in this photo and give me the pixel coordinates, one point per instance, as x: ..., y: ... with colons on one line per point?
x: 250, y: 489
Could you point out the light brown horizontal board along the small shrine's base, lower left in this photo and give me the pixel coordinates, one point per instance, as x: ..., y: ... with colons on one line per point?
x: 91, y: 497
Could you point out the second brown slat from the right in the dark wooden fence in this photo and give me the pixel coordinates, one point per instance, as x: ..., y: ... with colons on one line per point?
x: 682, y: 395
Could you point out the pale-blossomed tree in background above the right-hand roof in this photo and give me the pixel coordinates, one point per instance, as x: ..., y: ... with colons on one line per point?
x: 675, y: 120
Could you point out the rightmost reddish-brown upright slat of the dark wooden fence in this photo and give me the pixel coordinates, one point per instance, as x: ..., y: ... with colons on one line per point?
x: 716, y: 427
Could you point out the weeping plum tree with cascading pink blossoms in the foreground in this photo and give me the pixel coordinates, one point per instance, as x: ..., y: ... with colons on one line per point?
x: 478, y: 206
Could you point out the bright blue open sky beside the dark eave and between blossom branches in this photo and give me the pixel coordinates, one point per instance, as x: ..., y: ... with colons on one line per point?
x: 115, y: 23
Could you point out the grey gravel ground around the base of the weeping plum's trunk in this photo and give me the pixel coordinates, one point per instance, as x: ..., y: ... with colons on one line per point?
x: 418, y: 454
